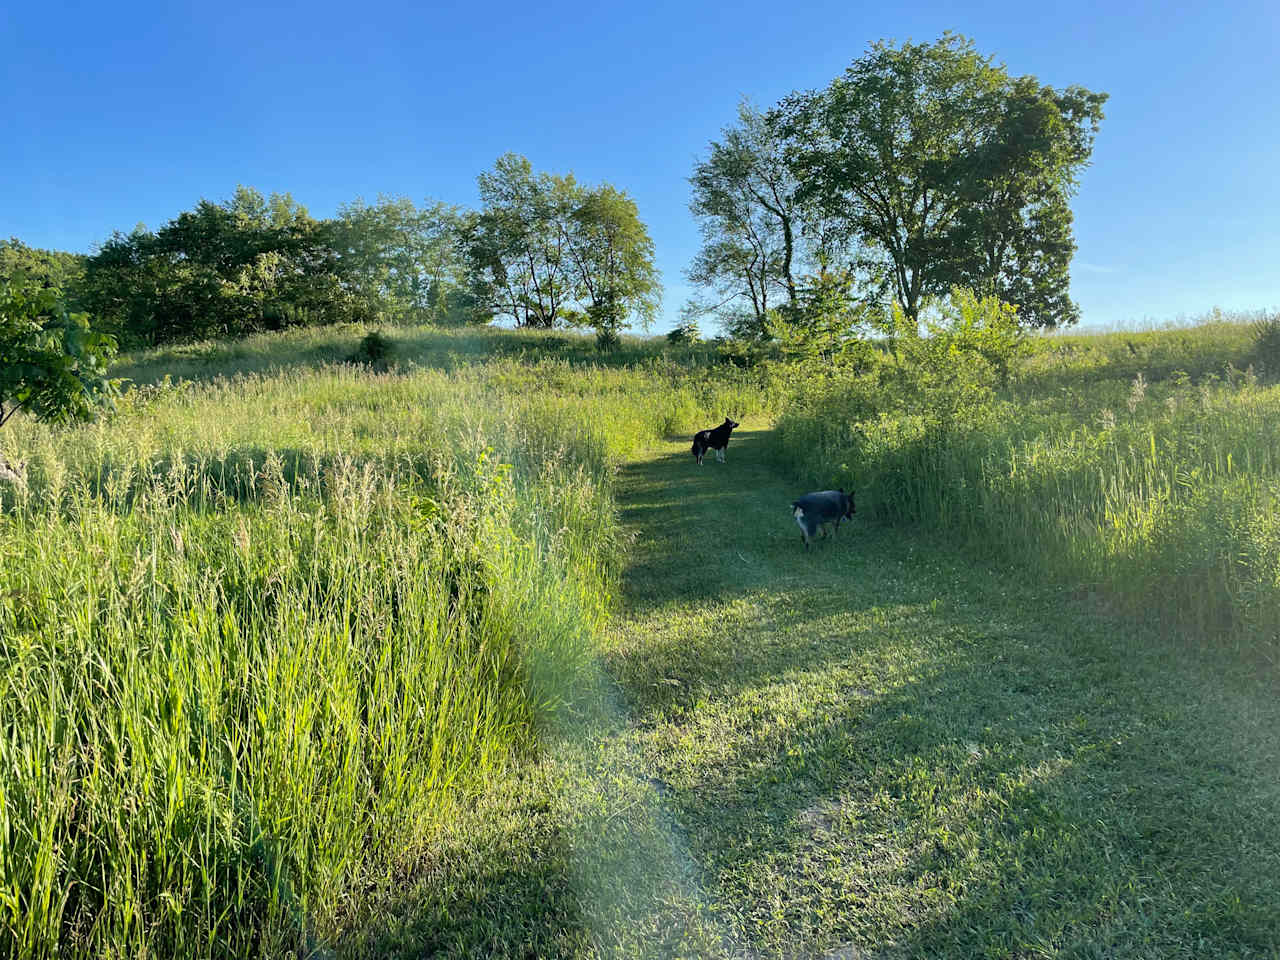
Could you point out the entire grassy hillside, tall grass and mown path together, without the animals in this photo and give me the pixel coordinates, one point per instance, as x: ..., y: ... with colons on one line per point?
x: 458, y: 653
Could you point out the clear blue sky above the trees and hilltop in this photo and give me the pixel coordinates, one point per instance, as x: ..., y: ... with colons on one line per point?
x: 130, y: 113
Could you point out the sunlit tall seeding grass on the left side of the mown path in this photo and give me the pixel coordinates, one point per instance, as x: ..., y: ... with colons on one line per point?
x: 258, y: 636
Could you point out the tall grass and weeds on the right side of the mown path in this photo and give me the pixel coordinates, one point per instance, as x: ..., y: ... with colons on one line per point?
x: 1158, y: 495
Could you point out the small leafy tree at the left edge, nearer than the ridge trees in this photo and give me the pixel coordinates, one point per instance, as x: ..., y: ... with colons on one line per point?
x: 52, y: 364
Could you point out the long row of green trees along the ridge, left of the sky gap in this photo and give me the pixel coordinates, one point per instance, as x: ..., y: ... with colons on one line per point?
x: 543, y: 252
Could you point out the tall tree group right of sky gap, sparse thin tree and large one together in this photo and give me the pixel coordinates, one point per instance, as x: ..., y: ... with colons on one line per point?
x: 922, y: 170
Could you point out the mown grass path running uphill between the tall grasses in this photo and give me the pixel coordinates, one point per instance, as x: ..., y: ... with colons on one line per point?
x: 875, y: 749
